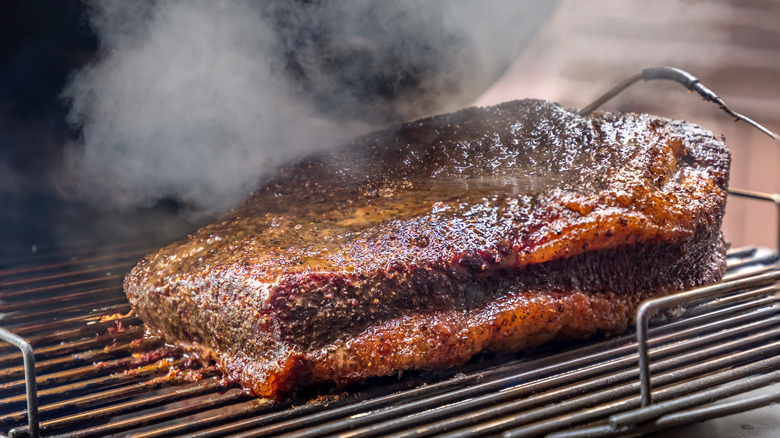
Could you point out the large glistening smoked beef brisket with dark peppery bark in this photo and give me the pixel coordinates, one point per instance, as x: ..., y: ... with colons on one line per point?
x: 488, y: 229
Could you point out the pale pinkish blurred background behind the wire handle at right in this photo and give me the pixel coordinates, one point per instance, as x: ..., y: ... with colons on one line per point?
x: 732, y: 46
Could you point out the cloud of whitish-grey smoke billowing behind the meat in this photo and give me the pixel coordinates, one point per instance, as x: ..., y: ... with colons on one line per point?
x: 199, y: 100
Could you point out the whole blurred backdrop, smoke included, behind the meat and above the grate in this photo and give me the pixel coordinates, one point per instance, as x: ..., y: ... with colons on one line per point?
x: 145, y: 119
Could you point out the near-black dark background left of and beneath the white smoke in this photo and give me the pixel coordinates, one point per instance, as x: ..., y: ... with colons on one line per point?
x: 41, y: 43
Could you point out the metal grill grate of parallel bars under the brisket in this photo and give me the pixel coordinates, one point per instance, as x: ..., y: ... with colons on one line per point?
x: 97, y: 376
